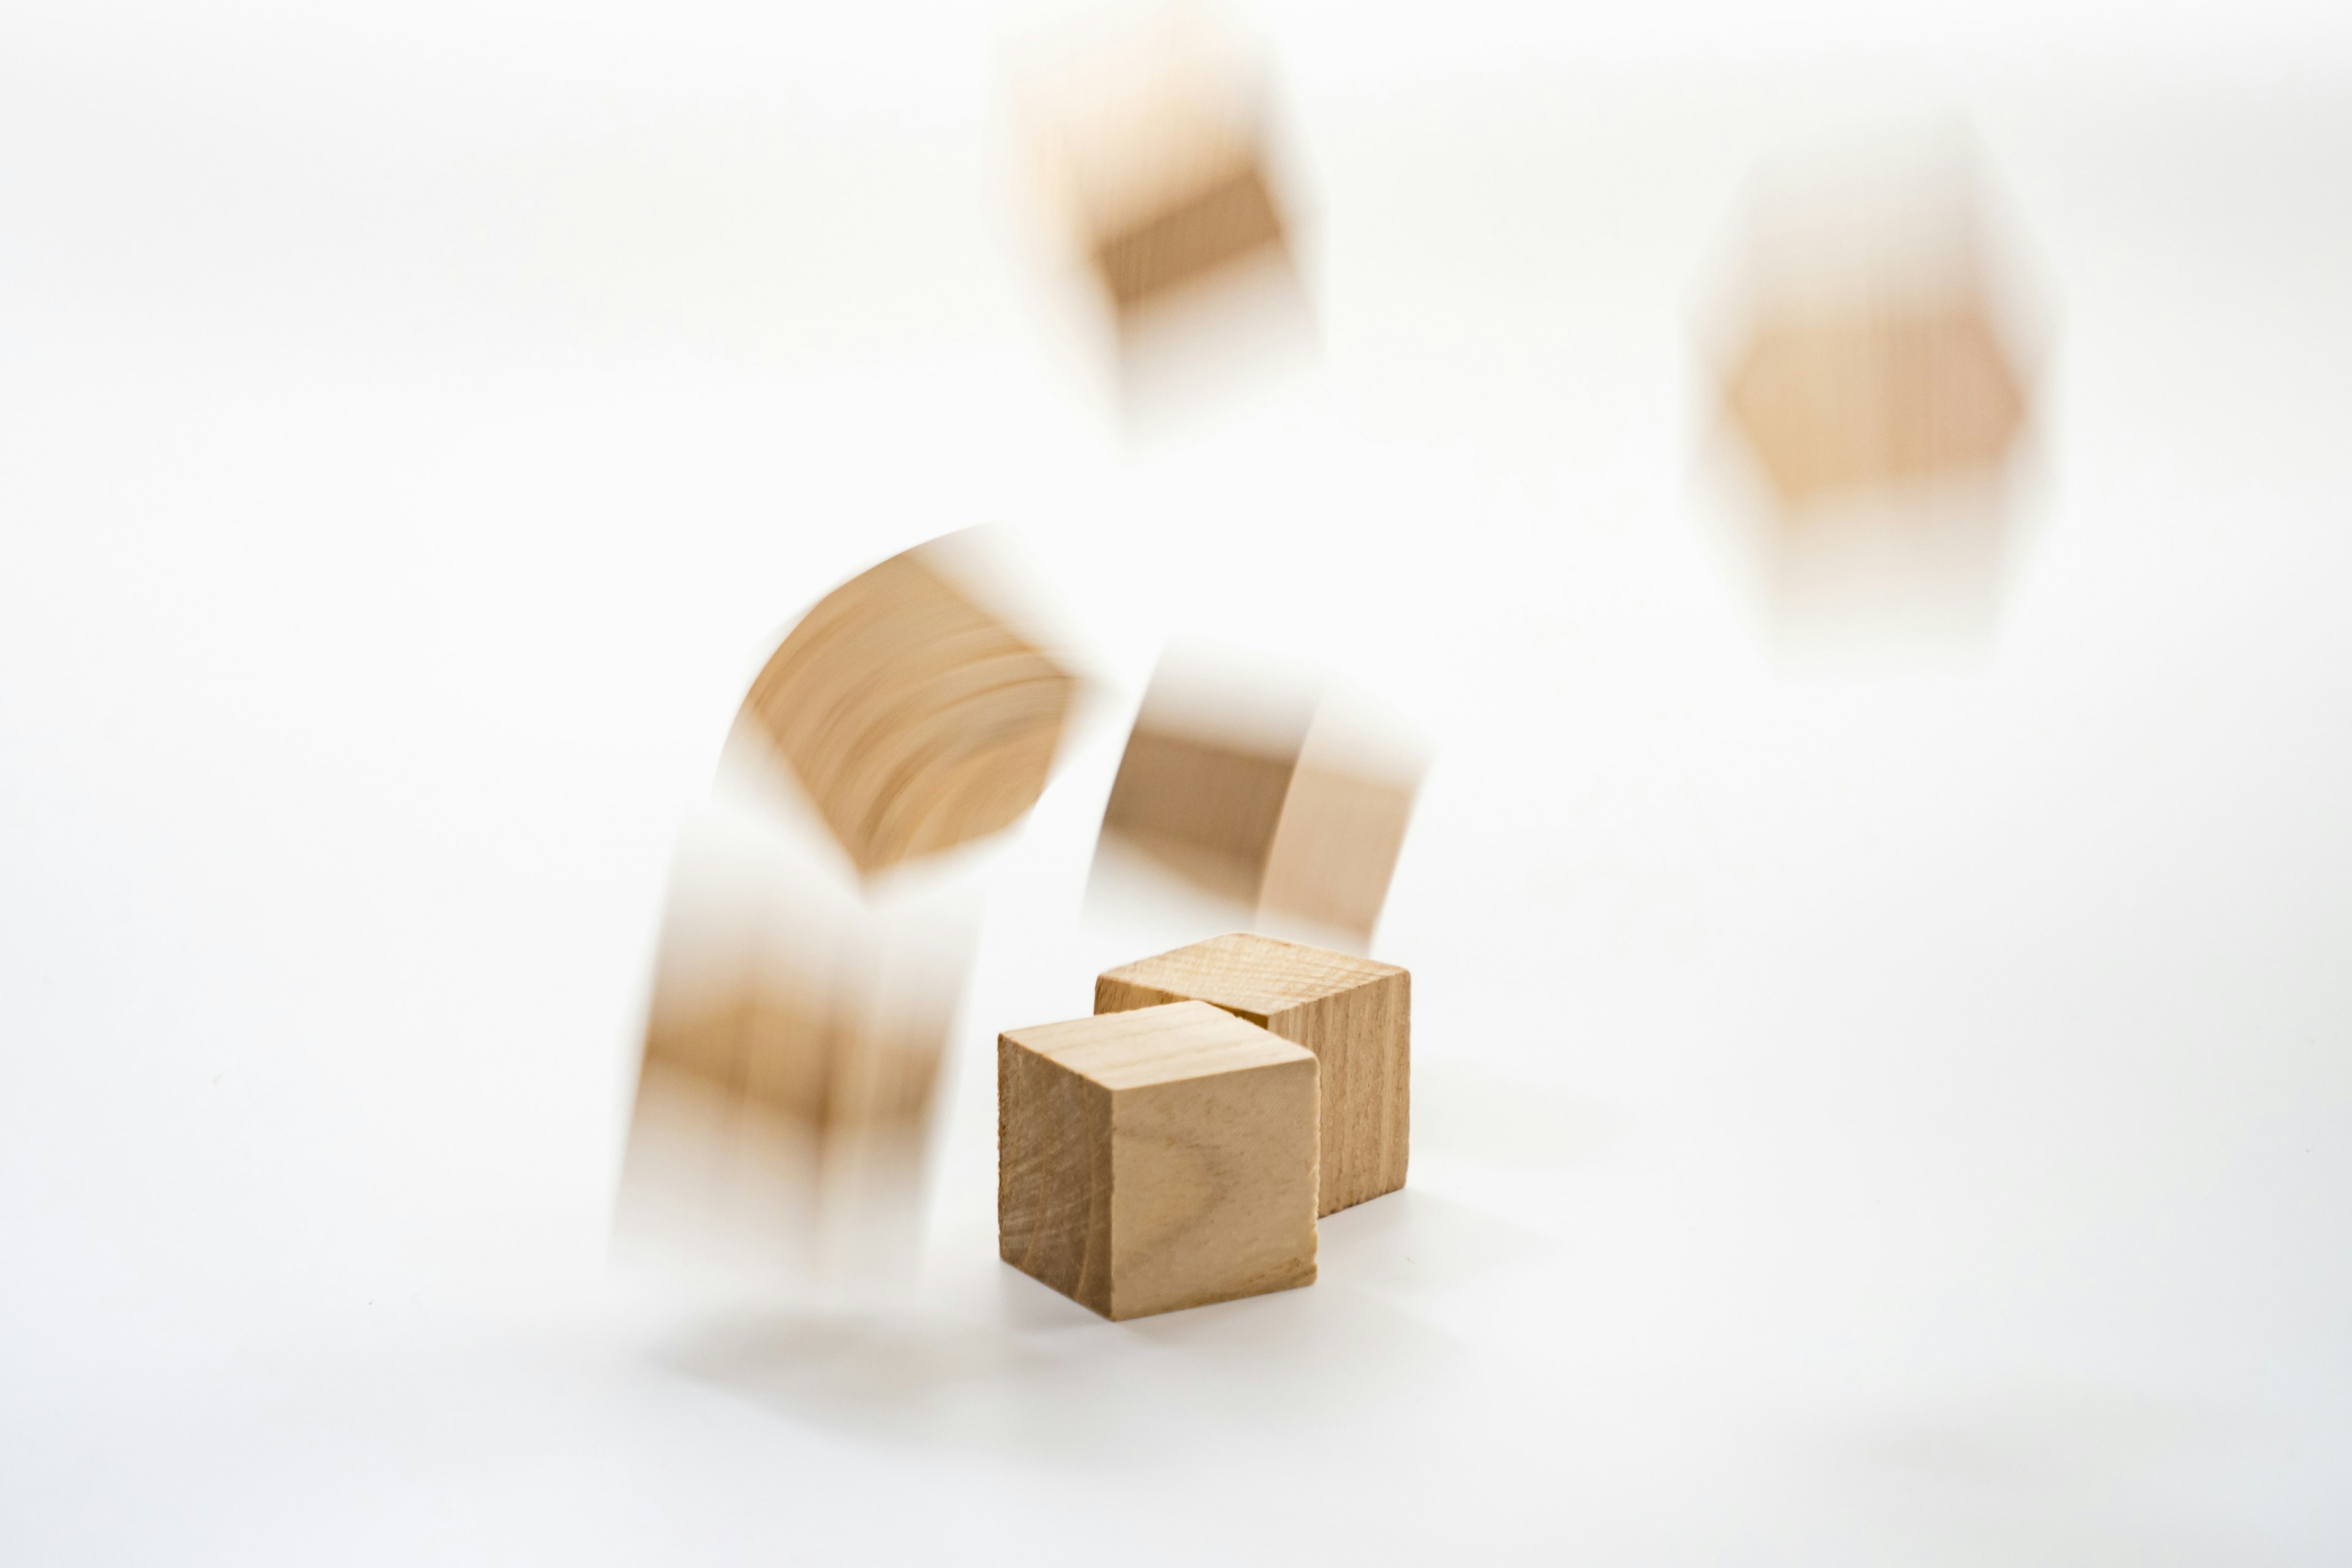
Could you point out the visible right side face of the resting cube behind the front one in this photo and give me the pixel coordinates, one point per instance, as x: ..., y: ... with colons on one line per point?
x: 1363, y: 1040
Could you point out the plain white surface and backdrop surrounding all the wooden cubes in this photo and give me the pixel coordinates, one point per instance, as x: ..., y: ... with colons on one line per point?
x: 1859, y: 1120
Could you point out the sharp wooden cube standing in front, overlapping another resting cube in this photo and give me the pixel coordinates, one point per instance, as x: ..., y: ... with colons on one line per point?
x: 1156, y: 1160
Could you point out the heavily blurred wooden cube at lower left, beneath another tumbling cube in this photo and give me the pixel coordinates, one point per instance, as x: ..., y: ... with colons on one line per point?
x: 791, y: 1057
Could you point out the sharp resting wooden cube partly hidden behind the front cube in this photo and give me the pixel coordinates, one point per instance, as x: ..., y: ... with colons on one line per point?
x: 1354, y: 1014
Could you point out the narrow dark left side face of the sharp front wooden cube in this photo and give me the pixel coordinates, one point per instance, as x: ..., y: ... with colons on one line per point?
x: 1055, y: 1177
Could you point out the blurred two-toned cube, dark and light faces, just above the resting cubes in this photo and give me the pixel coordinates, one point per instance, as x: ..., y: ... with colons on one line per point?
x: 1285, y: 803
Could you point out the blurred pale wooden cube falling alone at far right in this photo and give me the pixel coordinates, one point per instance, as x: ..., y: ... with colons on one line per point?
x: 1876, y: 359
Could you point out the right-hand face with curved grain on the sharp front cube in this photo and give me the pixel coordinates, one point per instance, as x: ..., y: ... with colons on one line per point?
x: 1215, y: 1188
